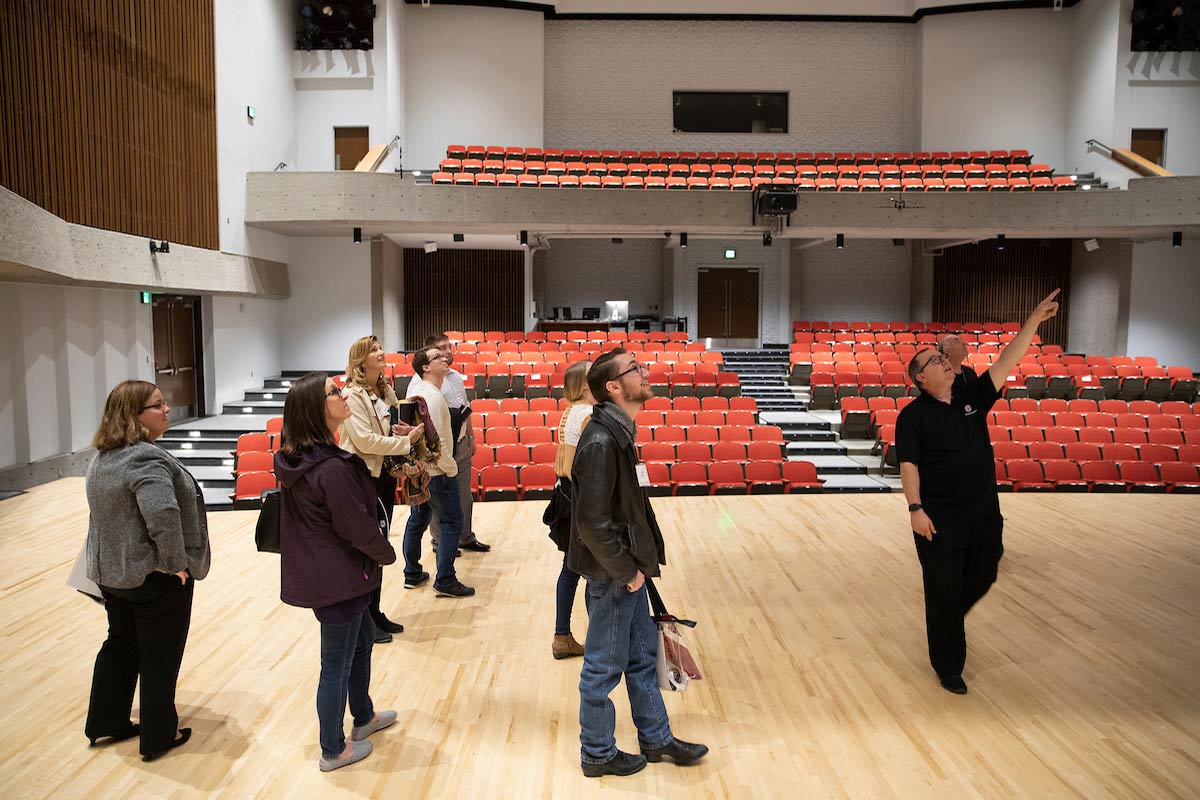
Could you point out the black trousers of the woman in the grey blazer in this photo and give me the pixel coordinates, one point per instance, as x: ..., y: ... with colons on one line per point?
x: 147, y: 633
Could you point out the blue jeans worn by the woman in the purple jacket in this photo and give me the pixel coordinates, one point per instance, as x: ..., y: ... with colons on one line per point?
x: 345, y: 671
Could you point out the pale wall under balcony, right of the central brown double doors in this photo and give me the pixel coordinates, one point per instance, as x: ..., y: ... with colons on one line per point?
x: 869, y: 280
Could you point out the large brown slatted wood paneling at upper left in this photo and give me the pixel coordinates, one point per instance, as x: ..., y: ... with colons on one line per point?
x: 110, y: 113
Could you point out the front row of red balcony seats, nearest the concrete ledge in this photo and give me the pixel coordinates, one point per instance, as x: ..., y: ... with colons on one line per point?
x: 1060, y: 184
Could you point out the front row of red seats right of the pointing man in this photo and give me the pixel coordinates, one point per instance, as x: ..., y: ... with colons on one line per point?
x: 1067, y: 476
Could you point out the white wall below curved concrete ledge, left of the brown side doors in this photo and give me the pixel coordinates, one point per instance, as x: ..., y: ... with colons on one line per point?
x: 65, y: 348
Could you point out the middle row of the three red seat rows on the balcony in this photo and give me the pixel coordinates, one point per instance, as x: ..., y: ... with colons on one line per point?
x: 729, y: 172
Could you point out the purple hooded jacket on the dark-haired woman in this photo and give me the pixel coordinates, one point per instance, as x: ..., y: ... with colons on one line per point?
x: 329, y: 531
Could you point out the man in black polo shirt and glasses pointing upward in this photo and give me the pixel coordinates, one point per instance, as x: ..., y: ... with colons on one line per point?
x: 947, y: 471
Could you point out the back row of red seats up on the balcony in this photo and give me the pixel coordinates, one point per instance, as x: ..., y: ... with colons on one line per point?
x: 483, y: 153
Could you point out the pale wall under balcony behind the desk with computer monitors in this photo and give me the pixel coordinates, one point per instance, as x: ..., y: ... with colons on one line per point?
x: 589, y: 272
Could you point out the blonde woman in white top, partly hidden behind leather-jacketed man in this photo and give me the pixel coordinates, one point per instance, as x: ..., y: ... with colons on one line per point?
x: 571, y: 428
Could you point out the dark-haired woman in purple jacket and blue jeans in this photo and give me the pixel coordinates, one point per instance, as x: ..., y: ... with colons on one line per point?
x: 333, y: 546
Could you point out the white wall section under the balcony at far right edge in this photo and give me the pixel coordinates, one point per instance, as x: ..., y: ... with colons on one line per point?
x: 1166, y: 288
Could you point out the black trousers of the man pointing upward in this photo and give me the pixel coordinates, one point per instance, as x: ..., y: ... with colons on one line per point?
x: 959, y: 566
